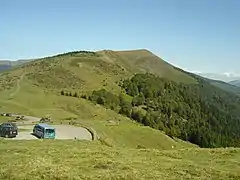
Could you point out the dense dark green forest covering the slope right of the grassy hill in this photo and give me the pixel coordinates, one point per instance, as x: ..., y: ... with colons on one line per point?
x: 201, y: 113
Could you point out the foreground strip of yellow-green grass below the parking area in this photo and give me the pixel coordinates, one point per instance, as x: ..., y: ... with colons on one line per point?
x: 56, y: 159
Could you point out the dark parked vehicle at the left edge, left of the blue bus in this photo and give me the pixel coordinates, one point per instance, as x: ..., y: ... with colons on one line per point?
x: 8, y: 130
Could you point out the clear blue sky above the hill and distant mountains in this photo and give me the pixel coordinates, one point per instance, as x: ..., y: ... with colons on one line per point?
x: 201, y: 35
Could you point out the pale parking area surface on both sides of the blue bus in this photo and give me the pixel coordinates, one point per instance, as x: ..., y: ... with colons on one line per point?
x: 62, y: 131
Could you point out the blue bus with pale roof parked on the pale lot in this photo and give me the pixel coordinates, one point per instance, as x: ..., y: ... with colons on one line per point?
x: 44, y: 131
